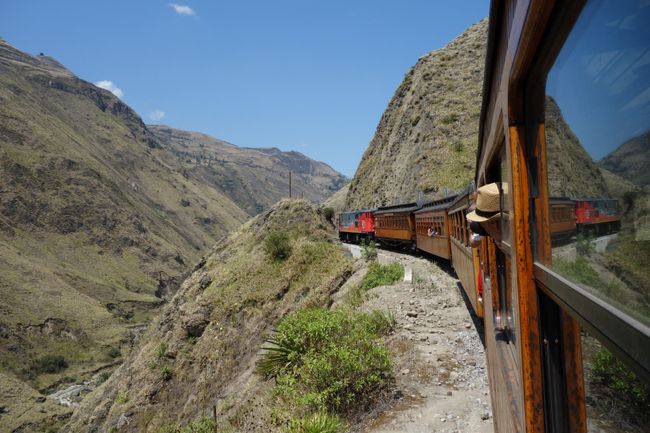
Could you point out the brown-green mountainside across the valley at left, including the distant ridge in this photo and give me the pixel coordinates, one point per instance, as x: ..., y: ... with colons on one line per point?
x: 101, y: 217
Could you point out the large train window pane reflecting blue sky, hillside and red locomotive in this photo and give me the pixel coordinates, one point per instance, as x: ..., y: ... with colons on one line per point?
x: 597, y: 123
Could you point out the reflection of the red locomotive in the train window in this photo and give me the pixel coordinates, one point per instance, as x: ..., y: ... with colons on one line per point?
x: 597, y: 216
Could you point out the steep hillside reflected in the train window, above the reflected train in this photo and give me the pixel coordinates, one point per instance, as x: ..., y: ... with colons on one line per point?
x: 571, y: 171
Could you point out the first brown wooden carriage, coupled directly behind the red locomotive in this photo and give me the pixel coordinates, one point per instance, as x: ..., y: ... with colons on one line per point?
x: 395, y: 225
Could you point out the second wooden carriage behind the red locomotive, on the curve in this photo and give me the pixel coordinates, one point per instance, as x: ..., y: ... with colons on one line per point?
x: 432, y: 228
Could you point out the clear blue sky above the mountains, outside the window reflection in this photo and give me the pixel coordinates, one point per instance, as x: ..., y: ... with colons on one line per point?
x: 311, y: 76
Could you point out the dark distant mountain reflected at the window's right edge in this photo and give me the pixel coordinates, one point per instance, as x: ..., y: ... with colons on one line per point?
x: 631, y: 160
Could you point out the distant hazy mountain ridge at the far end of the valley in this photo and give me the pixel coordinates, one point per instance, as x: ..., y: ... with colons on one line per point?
x: 253, y: 178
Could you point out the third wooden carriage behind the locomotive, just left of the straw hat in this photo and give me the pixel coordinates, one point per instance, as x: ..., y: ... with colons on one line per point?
x: 464, y: 257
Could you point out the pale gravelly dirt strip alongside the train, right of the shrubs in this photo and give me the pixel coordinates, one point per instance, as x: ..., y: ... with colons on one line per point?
x: 440, y: 362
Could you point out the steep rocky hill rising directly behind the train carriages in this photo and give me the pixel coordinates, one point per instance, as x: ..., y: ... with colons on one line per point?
x: 426, y: 139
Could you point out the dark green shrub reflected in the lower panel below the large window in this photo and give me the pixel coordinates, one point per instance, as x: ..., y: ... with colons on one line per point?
x: 615, y: 375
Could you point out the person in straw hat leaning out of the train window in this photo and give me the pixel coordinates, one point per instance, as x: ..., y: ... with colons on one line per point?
x: 485, y: 219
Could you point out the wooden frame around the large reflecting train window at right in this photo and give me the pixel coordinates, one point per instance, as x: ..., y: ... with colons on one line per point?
x: 625, y: 336
